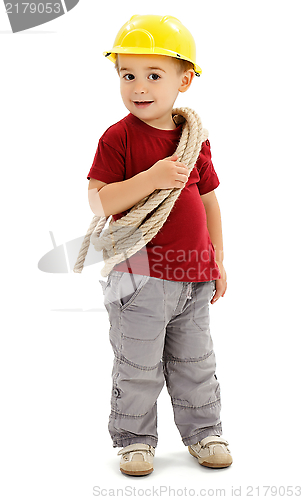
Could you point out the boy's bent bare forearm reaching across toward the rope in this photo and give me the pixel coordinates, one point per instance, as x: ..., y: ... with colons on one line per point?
x: 116, y: 197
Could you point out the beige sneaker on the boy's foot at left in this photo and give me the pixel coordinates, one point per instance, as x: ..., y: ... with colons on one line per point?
x: 137, y: 459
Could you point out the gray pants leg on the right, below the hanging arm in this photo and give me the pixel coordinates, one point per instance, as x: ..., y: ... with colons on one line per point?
x: 189, y: 366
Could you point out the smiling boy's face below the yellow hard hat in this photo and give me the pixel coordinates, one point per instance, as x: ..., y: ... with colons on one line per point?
x: 149, y: 86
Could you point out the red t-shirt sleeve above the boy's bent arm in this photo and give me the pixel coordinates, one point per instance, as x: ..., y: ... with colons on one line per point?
x: 109, y: 164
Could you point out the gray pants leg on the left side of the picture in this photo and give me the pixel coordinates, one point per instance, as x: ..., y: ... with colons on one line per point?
x: 137, y: 329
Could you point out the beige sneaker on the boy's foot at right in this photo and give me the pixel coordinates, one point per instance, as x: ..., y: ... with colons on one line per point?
x: 212, y: 451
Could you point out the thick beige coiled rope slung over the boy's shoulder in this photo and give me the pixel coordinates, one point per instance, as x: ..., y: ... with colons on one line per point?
x: 126, y: 236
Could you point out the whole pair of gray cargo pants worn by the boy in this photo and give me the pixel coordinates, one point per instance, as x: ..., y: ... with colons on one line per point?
x: 159, y: 332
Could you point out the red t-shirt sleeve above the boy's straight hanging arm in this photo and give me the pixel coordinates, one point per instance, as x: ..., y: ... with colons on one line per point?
x: 208, y: 177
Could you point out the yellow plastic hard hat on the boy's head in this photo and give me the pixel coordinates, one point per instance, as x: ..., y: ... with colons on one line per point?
x: 150, y: 34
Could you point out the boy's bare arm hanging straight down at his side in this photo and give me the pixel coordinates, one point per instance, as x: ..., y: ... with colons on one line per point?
x: 214, y: 226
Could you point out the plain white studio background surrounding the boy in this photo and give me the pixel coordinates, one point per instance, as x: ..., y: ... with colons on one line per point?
x: 58, y: 96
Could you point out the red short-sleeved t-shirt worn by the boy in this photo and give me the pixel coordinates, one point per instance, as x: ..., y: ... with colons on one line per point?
x: 182, y: 249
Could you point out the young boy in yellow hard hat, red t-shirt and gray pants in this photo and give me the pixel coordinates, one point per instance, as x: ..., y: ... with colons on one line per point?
x: 160, y: 331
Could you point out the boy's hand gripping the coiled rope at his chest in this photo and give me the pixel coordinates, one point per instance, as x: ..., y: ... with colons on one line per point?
x: 168, y: 173
